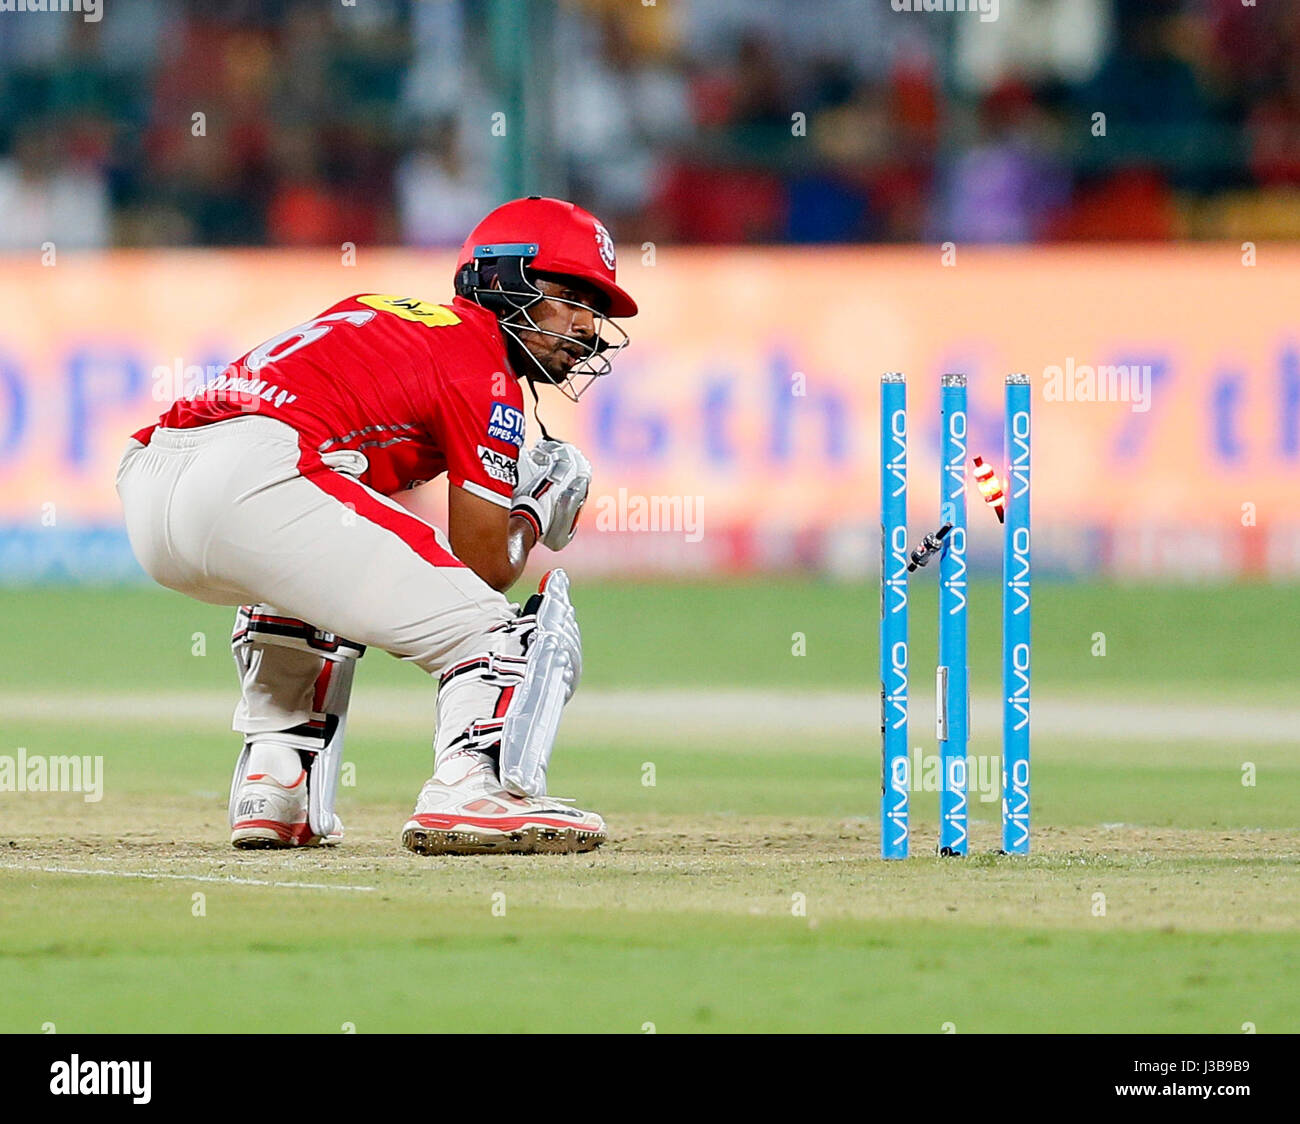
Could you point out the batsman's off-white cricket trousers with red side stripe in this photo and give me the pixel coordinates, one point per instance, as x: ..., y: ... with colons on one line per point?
x: 222, y: 514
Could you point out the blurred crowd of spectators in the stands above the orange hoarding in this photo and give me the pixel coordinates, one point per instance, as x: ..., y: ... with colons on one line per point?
x: 302, y: 123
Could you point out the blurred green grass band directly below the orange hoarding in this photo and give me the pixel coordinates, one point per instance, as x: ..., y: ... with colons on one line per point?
x: 1202, y: 640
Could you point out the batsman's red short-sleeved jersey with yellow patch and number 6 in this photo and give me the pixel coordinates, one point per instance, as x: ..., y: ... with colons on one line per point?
x: 419, y: 389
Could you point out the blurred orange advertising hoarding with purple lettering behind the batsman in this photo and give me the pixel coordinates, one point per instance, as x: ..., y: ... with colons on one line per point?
x: 740, y: 429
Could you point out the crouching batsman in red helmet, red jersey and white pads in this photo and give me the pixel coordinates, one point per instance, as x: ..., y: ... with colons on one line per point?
x: 270, y: 489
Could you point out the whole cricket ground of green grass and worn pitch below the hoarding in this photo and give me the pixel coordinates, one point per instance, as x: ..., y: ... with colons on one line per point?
x: 742, y: 892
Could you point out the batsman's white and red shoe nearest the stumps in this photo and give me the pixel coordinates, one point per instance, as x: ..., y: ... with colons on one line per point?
x: 478, y: 817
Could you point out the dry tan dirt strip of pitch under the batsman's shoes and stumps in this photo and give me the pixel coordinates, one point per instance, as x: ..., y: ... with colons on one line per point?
x: 816, y: 870
